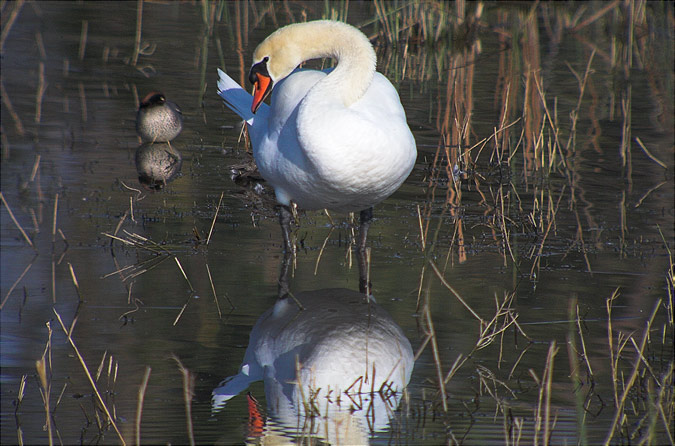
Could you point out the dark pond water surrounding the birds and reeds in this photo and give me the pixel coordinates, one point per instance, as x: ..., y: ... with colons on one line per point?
x: 604, y: 226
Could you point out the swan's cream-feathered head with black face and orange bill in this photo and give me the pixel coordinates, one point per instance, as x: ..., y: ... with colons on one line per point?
x: 274, y: 59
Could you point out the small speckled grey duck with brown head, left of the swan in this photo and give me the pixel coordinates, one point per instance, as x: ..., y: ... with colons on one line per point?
x: 158, y: 120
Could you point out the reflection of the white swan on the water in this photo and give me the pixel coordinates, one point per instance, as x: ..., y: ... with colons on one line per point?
x: 334, y: 365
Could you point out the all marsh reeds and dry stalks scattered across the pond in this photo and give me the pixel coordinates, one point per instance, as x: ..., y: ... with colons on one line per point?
x: 524, y: 169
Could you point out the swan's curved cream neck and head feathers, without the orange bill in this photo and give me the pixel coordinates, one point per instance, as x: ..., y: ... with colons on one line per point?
x: 291, y: 45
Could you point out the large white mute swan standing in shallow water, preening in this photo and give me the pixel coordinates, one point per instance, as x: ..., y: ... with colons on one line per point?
x: 335, y: 139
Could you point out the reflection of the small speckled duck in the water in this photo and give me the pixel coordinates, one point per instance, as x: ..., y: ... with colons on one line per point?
x: 157, y: 164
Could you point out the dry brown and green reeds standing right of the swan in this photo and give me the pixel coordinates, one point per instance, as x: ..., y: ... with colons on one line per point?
x: 549, y: 149
